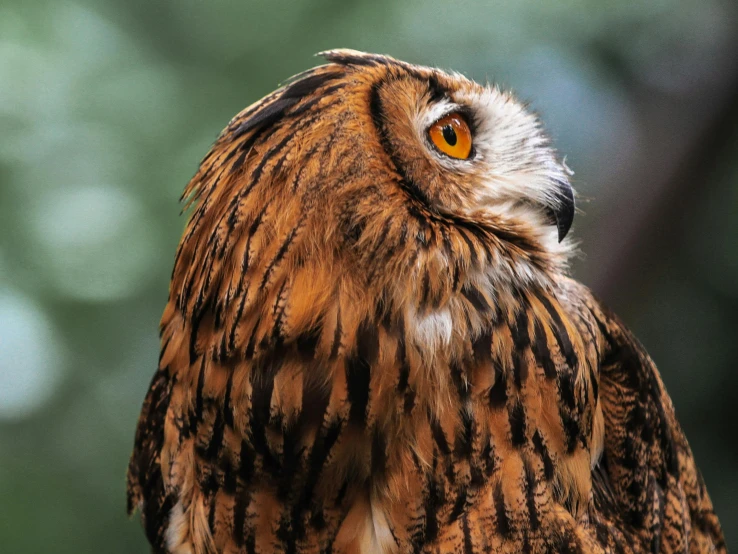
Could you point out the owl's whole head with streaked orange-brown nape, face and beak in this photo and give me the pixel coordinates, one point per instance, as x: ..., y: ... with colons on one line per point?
x: 376, y: 179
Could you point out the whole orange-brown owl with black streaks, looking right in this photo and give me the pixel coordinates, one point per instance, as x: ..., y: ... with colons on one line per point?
x: 371, y: 344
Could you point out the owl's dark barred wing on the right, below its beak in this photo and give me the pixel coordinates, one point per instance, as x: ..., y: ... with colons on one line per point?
x: 647, y: 478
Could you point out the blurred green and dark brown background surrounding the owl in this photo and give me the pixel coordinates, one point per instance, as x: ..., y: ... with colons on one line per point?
x: 107, y: 106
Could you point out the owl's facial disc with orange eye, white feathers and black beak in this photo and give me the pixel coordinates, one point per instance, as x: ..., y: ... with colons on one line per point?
x: 508, y: 169
